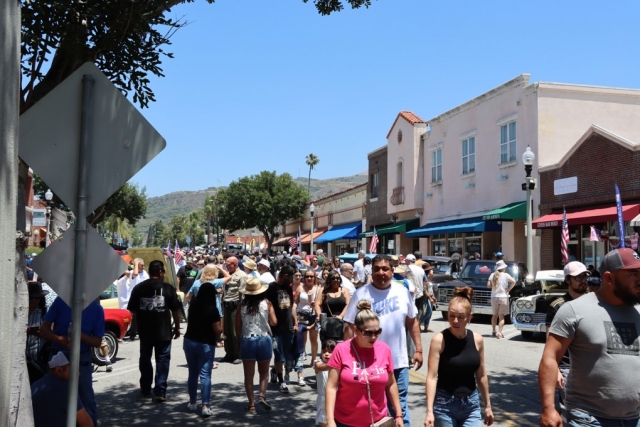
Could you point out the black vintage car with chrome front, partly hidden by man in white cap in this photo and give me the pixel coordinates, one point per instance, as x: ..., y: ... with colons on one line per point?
x: 531, y: 310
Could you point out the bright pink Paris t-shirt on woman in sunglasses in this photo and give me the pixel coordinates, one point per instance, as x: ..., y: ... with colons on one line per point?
x: 352, y: 403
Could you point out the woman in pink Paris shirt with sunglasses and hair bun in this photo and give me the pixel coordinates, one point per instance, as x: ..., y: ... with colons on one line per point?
x: 352, y: 363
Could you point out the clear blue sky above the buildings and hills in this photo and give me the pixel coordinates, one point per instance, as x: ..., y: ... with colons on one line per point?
x: 259, y: 84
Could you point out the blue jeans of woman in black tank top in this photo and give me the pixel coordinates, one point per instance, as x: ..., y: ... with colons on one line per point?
x: 450, y: 411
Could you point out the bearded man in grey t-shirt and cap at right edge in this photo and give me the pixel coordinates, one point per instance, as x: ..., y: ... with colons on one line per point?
x: 601, y: 331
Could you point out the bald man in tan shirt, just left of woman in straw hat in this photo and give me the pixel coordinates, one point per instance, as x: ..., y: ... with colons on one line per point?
x: 230, y: 302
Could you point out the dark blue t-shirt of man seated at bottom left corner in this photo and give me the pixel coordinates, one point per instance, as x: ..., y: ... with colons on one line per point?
x: 49, y: 400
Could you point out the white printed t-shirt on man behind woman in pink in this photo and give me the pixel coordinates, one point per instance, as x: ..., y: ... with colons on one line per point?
x: 392, y: 305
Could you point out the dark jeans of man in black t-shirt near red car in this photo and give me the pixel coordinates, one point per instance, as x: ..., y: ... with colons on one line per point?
x: 162, y: 351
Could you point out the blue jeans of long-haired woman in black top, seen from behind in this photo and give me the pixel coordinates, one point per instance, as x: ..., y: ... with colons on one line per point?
x: 200, y: 362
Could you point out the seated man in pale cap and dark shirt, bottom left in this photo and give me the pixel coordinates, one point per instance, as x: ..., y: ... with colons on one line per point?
x: 49, y: 397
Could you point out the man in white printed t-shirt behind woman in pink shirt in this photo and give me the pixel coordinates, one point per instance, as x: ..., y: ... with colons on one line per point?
x: 397, y: 313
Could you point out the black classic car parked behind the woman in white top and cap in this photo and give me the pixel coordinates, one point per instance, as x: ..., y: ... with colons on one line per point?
x: 476, y: 275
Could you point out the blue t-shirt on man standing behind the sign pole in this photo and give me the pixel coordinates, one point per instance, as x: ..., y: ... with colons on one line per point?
x: 92, y: 322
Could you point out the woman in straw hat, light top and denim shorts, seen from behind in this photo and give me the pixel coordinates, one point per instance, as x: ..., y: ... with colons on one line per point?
x: 254, y: 319
